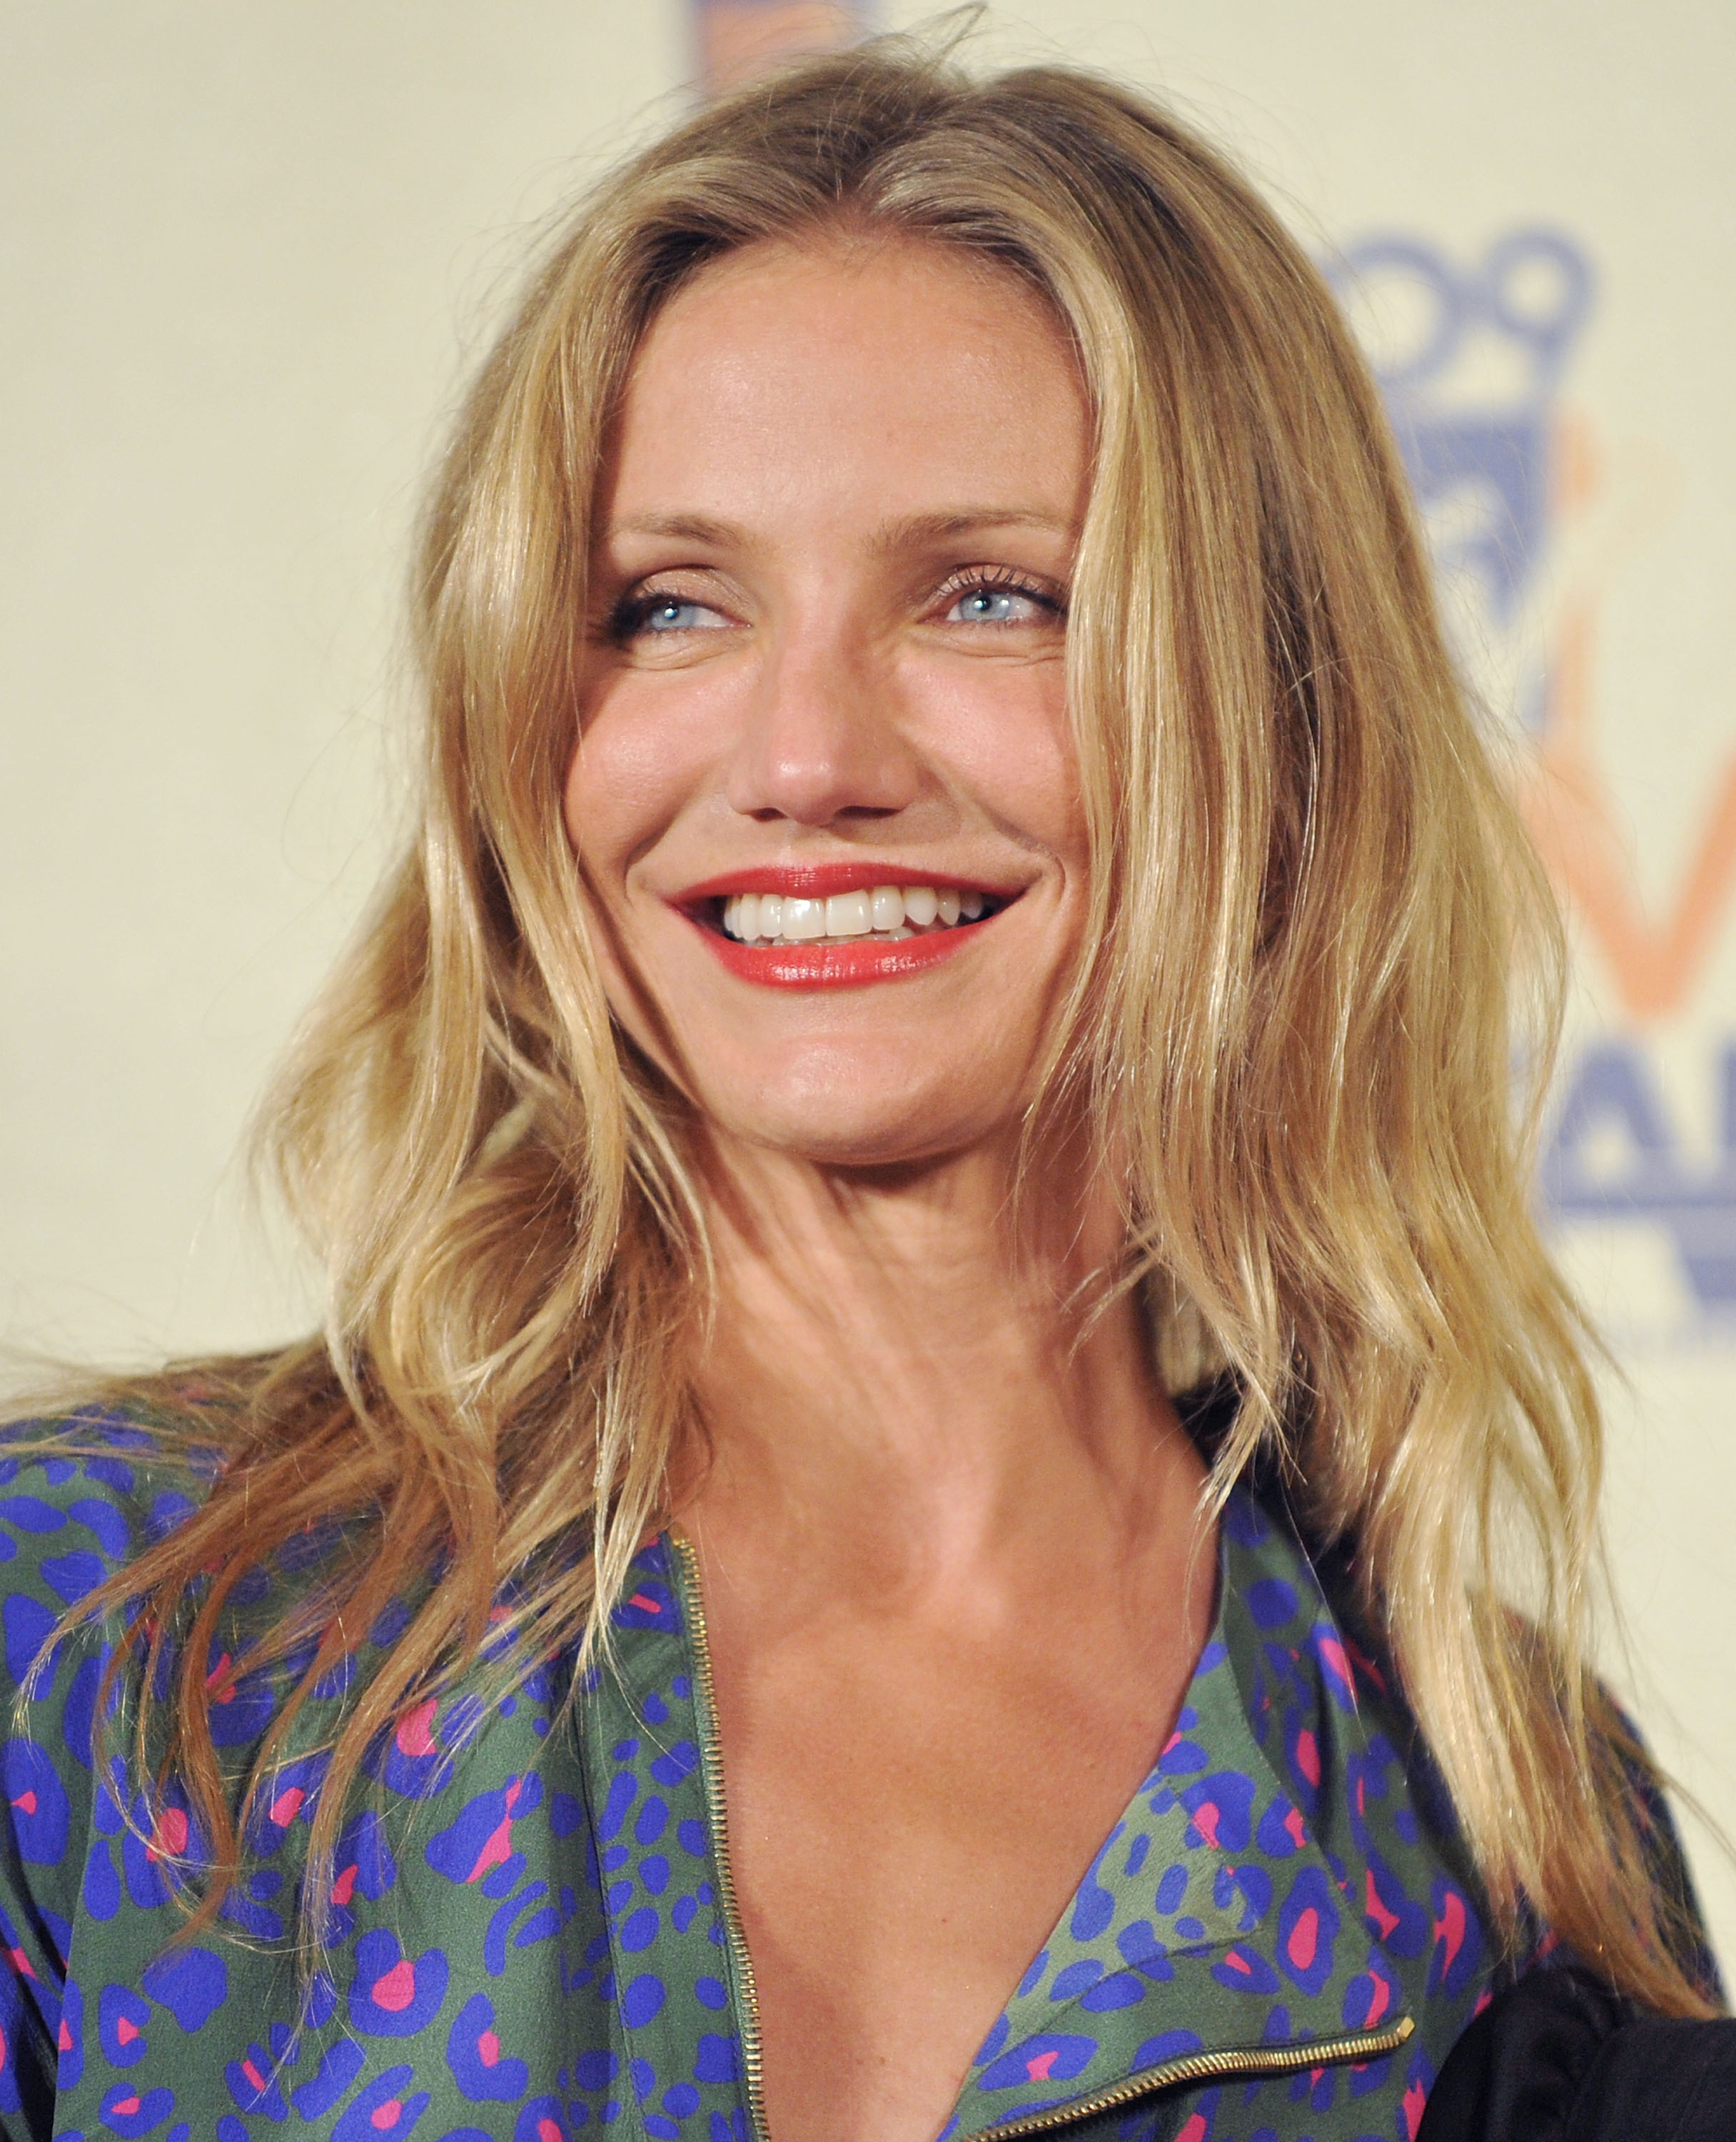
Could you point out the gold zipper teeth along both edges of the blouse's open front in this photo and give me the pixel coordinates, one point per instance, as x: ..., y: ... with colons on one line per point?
x: 1189, y: 2068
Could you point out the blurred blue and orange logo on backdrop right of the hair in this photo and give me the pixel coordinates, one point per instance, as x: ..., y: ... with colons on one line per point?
x: 1472, y: 359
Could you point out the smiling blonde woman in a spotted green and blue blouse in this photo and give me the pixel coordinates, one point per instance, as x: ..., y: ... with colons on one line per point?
x: 924, y: 1220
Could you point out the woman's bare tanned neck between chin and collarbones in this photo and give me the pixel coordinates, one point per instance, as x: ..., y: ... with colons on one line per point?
x: 924, y: 1368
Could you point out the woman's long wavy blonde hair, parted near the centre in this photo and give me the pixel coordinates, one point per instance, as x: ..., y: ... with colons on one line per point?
x: 1298, y: 1008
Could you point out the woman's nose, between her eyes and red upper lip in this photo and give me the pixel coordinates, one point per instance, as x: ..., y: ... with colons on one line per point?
x: 821, y: 736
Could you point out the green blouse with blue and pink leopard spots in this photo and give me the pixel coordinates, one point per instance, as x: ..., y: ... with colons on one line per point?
x: 534, y: 1931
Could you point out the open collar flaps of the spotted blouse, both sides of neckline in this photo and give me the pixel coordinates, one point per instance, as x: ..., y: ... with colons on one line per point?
x: 1270, y: 1905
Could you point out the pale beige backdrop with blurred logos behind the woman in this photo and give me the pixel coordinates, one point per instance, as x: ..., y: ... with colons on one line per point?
x: 247, y: 260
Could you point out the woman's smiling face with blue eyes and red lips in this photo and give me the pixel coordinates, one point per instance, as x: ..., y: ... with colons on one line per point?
x: 825, y: 796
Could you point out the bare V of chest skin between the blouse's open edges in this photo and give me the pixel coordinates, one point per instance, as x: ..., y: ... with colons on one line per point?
x: 909, y: 1820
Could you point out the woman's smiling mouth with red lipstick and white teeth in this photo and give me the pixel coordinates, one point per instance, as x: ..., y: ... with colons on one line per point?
x: 834, y: 924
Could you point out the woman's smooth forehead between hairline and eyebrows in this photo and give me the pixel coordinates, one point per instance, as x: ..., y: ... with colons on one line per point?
x: 883, y: 376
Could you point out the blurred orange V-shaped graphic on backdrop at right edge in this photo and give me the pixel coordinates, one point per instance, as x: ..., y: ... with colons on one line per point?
x: 1577, y: 824
